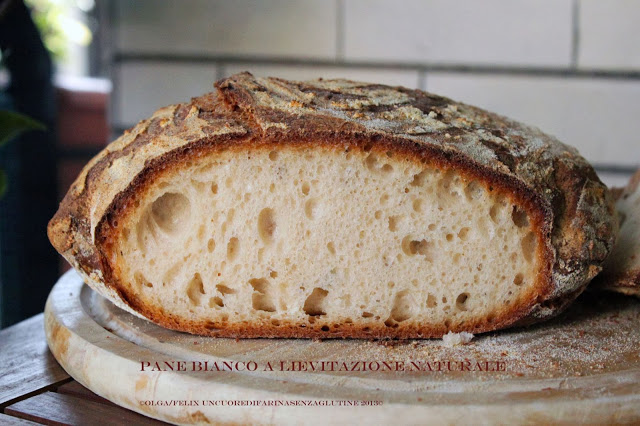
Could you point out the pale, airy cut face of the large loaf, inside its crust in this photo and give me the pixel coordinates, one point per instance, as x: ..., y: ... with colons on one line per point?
x: 304, y: 236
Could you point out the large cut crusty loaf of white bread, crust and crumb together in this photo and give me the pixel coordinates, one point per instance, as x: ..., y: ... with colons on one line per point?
x: 332, y: 208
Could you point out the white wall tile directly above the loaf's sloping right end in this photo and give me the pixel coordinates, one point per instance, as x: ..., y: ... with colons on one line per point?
x: 598, y: 116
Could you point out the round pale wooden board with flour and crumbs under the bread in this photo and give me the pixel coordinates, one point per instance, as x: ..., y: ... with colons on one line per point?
x: 582, y: 367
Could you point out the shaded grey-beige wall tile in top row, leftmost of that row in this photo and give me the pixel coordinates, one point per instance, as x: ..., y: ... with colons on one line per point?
x: 240, y: 27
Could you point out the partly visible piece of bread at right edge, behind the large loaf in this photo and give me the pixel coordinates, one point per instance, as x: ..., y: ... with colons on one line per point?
x: 621, y: 271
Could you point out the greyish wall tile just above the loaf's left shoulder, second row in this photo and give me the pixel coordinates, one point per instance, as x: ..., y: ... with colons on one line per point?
x: 142, y: 88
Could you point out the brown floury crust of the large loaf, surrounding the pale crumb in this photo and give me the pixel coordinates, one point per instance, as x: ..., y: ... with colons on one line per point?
x: 571, y: 209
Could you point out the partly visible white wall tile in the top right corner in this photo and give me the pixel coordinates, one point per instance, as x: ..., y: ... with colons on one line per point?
x: 609, y: 34
